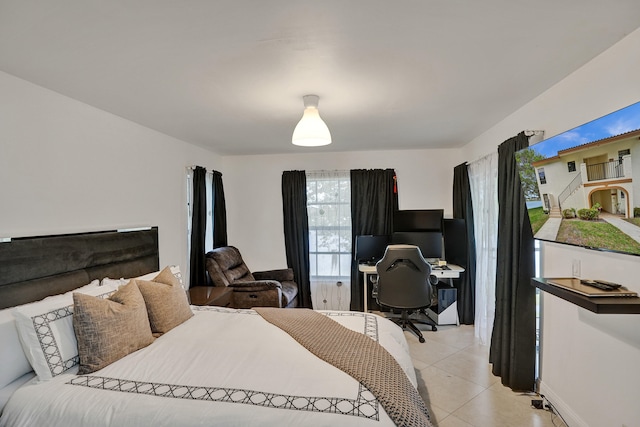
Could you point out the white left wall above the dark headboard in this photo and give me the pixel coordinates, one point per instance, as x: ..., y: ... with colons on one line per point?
x: 67, y: 167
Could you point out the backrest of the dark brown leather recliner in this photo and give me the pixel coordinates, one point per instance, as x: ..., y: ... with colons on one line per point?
x: 225, y: 266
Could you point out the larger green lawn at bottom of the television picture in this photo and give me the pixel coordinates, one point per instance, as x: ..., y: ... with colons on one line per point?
x: 596, y: 234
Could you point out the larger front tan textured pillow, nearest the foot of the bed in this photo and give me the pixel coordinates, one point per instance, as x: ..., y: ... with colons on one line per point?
x: 109, y: 329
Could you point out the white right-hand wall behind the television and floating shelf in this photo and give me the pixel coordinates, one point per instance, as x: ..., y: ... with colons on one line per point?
x: 590, y: 365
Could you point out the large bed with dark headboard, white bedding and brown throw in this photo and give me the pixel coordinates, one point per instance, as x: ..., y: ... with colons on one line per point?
x: 213, y: 366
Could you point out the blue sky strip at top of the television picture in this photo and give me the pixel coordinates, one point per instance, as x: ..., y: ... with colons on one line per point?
x: 621, y: 121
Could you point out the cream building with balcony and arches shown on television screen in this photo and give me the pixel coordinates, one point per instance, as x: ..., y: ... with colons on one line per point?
x: 597, y: 172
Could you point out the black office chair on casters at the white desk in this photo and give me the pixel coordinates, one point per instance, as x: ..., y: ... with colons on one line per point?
x: 405, y: 282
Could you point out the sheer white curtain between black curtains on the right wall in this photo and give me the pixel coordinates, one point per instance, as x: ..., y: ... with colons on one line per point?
x: 483, y: 179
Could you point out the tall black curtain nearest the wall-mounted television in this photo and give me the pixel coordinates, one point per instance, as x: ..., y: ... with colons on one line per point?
x: 512, y: 350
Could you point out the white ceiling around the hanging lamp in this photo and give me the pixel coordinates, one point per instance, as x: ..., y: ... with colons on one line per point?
x: 229, y: 75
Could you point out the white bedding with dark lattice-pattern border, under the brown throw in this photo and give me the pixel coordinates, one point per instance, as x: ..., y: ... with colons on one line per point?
x: 221, y: 367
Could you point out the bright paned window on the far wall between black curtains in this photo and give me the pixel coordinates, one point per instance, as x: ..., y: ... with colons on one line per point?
x: 329, y: 211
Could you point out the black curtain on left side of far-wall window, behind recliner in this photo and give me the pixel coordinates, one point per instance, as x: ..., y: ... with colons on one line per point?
x: 296, y: 231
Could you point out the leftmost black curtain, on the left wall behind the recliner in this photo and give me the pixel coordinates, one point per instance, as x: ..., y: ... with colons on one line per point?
x: 197, y: 275
